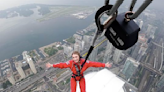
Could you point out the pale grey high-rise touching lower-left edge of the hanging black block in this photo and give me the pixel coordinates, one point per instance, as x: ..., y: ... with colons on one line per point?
x: 108, y: 52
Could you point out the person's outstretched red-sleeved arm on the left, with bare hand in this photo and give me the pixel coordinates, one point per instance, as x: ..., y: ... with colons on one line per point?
x: 58, y: 65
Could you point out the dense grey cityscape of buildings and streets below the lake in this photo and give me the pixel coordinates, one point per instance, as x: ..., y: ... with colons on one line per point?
x: 141, y: 66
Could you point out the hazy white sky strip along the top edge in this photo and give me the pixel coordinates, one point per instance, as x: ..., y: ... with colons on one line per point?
x: 4, y: 4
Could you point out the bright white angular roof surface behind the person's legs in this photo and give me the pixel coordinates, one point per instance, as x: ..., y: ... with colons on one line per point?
x: 103, y: 81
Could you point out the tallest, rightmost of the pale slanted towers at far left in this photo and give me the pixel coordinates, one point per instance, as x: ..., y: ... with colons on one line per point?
x: 29, y: 61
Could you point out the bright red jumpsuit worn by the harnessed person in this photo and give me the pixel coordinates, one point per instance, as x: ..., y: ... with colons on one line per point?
x: 71, y: 64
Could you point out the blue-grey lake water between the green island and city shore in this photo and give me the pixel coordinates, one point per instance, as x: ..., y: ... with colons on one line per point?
x: 25, y: 33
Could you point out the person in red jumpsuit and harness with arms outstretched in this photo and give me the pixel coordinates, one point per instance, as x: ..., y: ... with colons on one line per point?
x: 75, y: 63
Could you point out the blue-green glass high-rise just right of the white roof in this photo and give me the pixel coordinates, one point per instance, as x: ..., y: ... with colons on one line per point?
x: 130, y: 67
